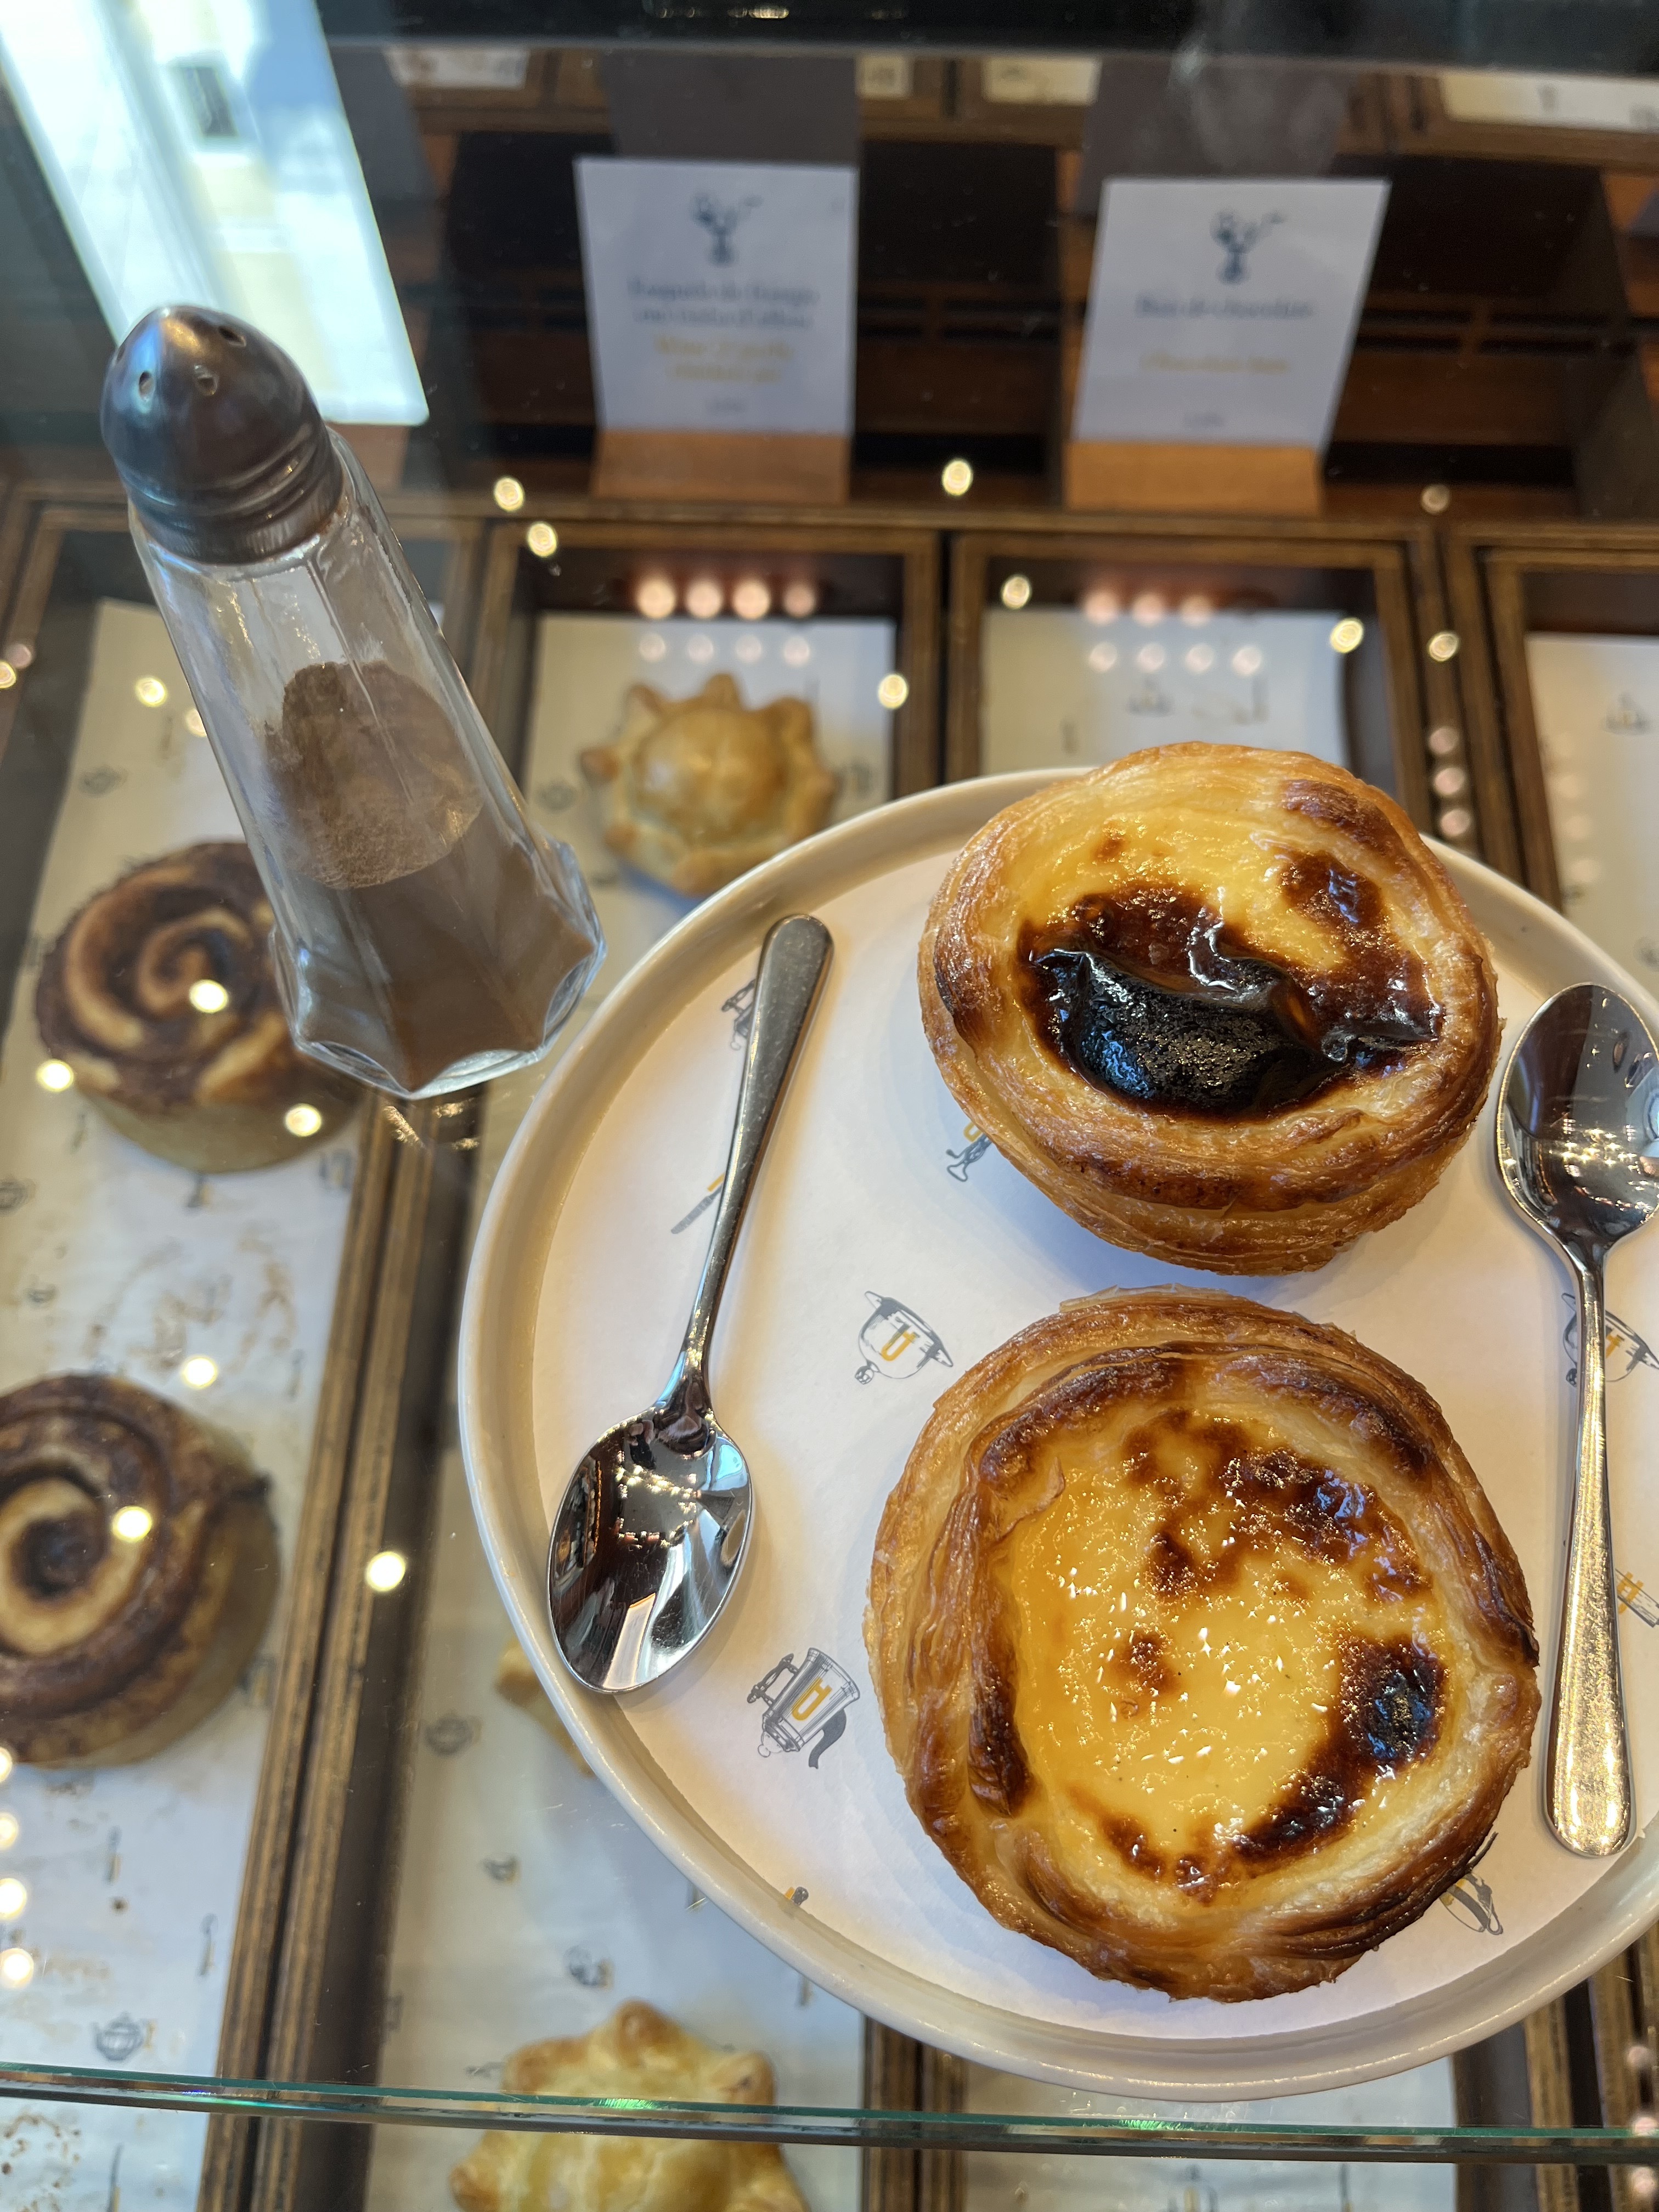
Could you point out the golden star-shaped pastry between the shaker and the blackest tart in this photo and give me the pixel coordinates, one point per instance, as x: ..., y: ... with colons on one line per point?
x: 702, y: 789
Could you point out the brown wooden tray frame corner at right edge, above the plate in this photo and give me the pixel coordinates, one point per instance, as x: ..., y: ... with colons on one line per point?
x: 1503, y: 583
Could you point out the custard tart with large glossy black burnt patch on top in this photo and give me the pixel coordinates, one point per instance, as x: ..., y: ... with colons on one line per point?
x: 1222, y: 1005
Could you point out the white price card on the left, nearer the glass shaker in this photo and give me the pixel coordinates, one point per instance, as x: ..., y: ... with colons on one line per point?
x: 720, y: 295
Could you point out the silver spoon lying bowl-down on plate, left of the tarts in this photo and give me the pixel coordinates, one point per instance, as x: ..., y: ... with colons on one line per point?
x: 654, y: 1527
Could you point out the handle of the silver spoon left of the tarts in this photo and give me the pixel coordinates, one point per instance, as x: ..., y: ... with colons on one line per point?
x: 795, y: 959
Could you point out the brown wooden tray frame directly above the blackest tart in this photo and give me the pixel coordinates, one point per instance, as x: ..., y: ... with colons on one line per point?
x: 1406, y: 587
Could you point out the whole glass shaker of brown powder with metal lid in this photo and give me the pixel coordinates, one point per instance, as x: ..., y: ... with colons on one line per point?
x: 428, y: 935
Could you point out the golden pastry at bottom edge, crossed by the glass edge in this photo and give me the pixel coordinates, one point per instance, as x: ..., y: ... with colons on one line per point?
x: 636, y: 2054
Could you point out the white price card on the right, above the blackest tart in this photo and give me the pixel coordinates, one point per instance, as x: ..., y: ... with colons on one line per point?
x: 1222, y: 309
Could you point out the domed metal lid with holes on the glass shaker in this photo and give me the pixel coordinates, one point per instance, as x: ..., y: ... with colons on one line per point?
x: 218, y: 437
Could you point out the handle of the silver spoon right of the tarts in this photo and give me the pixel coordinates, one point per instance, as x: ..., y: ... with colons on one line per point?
x: 1589, y: 1764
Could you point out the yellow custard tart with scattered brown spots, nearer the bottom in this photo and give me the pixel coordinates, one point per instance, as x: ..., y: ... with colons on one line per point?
x: 1200, y: 1647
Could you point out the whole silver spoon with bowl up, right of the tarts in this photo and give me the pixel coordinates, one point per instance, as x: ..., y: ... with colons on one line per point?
x: 1578, y: 1147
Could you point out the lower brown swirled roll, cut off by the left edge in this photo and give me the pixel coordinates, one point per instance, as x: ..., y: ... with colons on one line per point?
x: 138, y: 1569
